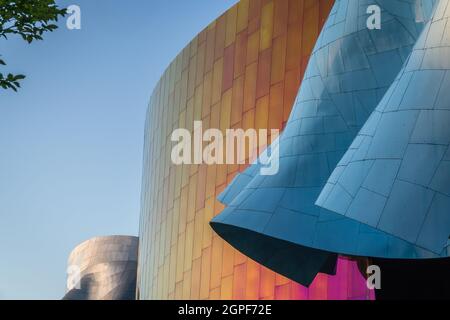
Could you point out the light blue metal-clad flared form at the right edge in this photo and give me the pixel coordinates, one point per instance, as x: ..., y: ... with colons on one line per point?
x: 395, y: 177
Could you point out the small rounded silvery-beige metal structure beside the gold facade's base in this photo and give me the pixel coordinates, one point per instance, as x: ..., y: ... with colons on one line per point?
x: 103, y: 268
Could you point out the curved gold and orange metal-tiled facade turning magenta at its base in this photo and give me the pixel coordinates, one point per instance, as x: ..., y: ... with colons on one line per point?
x: 242, y: 71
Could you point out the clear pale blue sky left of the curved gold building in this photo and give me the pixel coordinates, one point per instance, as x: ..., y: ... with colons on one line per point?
x: 71, y: 139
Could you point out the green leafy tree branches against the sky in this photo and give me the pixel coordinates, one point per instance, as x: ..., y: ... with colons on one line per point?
x: 29, y: 19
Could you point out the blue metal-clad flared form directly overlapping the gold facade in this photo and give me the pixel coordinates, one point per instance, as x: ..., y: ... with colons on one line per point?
x: 349, y: 72
